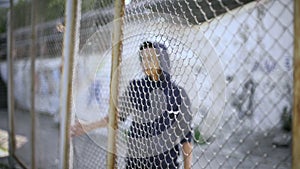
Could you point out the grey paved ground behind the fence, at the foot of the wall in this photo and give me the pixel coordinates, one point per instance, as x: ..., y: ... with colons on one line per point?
x: 258, y: 150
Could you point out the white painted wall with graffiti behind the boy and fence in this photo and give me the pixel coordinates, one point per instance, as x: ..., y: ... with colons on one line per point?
x: 255, y: 41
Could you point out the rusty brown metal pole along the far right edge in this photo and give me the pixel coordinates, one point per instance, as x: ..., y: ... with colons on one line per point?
x: 296, y: 106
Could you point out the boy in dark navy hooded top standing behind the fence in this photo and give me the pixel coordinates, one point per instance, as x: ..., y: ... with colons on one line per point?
x: 160, y: 113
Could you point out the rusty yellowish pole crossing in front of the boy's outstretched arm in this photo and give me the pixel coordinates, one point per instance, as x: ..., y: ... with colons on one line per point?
x: 117, y: 45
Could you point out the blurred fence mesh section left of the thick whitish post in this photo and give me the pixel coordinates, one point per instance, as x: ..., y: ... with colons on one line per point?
x: 39, y: 35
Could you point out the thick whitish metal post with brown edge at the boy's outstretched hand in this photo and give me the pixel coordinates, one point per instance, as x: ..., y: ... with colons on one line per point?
x: 71, y: 43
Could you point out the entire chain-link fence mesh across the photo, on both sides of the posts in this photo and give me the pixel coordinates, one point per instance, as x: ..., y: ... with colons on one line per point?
x: 200, y: 84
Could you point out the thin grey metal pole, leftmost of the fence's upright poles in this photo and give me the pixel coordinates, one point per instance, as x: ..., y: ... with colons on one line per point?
x: 10, y: 93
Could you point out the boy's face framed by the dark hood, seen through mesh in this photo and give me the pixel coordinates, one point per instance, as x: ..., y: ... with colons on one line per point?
x: 150, y: 61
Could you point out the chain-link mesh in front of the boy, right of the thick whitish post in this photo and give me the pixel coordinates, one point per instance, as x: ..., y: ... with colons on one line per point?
x: 225, y: 64
